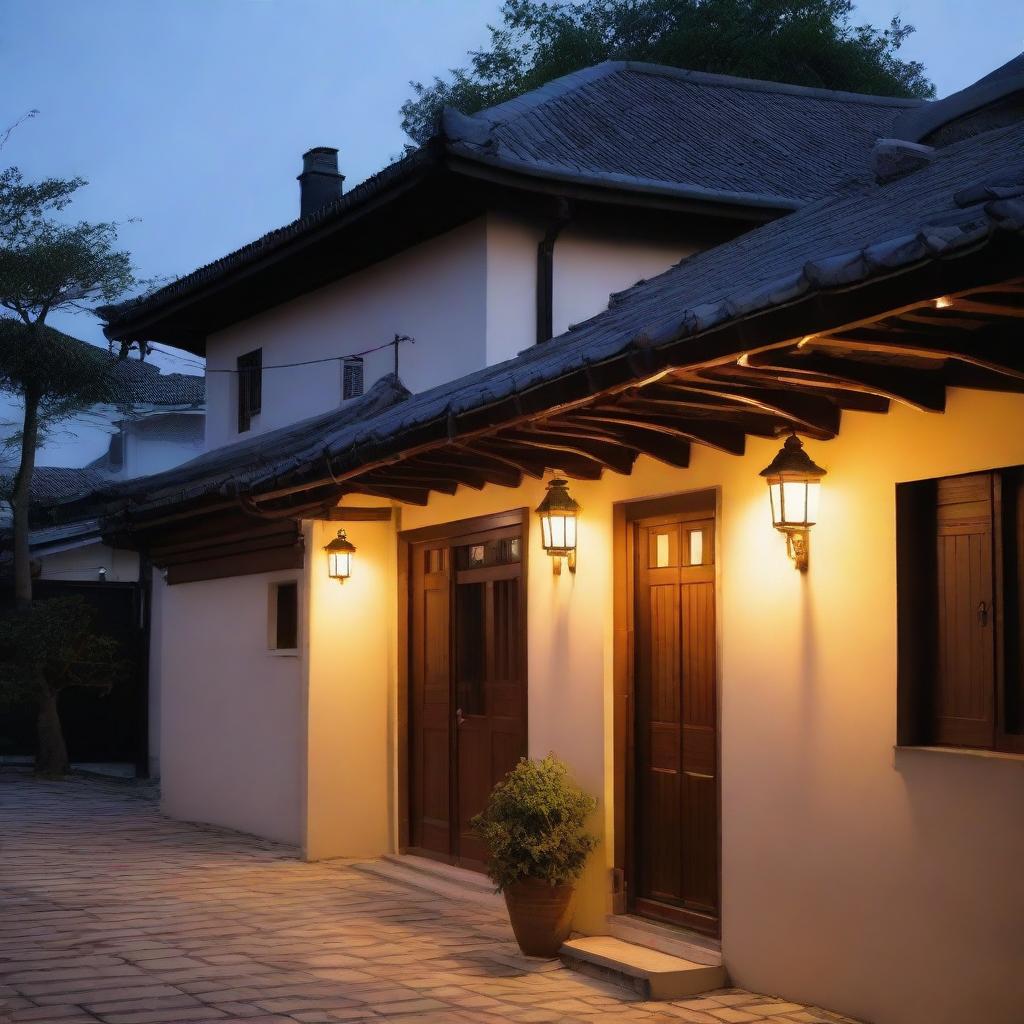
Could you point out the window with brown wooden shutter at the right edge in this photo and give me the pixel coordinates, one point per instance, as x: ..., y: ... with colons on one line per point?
x: 961, y: 573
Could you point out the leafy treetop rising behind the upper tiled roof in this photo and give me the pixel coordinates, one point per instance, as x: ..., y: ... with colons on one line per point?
x: 802, y: 42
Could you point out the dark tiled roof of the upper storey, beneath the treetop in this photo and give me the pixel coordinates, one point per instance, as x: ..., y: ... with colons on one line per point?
x: 627, y: 126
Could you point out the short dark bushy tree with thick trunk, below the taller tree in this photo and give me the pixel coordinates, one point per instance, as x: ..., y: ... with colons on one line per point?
x: 46, y: 649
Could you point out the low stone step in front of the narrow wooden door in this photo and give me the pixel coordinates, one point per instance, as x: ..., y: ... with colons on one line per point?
x: 652, y: 974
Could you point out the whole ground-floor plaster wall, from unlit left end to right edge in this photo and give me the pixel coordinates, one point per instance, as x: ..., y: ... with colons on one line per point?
x: 884, y: 884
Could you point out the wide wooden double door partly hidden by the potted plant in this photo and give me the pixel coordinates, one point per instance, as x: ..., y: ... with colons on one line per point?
x: 467, y: 677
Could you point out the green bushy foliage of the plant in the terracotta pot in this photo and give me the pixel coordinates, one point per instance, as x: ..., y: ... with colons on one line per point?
x: 534, y: 826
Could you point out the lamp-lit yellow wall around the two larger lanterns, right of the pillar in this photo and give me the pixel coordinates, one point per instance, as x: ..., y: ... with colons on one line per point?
x: 884, y: 884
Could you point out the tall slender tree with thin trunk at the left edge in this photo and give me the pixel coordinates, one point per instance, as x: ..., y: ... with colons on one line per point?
x: 49, y: 266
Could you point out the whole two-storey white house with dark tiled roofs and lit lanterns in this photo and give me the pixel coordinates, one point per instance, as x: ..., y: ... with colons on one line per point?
x: 808, y: 767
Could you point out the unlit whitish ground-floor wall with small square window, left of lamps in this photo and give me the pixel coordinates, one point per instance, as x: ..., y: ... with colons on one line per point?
x: 232, y: 733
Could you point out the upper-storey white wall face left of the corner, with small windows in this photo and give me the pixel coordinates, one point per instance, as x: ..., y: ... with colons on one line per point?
x: 436, y: 292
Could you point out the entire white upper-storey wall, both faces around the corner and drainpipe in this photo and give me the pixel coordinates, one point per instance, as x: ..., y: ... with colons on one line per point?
x: 468, y: 298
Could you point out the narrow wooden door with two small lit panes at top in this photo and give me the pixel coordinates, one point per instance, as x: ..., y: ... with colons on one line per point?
x: 676, y: 827
